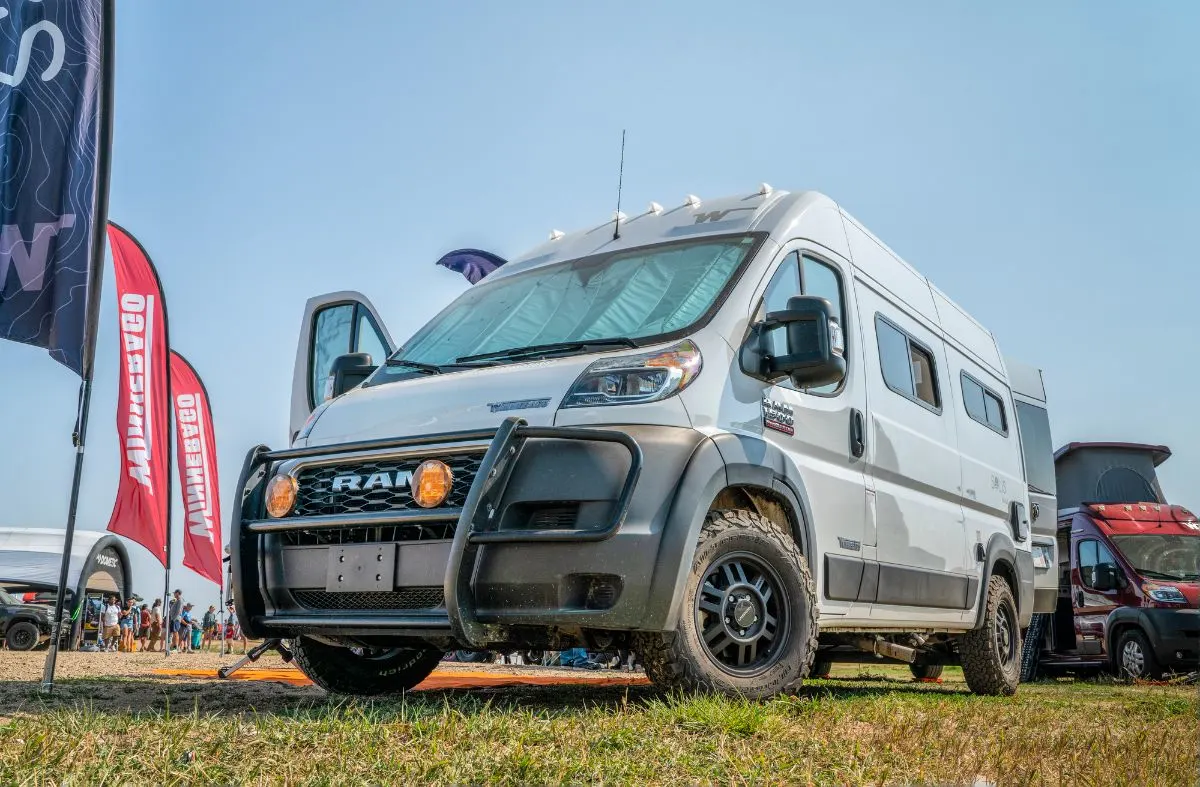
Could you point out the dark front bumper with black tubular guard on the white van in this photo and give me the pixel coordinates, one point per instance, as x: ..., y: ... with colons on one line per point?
x: 491, y: 580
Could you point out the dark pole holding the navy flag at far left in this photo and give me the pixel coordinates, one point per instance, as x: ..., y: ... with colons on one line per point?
x: 92, y: 321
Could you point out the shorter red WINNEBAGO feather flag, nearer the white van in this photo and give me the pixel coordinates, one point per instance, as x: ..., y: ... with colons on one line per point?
x: 196, y: 456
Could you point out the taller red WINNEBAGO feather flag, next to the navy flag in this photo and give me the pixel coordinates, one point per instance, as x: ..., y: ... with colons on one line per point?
x: 143, y: 498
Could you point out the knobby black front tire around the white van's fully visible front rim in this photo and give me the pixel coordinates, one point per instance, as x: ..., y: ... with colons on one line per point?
x: 680, y: 659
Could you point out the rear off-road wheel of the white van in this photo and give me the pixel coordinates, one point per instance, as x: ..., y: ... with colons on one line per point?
x: 985, y: 670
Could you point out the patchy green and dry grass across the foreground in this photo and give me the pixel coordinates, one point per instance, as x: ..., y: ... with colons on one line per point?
x: 843, y: 731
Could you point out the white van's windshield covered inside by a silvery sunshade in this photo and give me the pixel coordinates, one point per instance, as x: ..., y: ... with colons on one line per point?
x: 644, y: 295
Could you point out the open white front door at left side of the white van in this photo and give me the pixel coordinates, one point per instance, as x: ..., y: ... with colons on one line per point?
x: 334, y: 325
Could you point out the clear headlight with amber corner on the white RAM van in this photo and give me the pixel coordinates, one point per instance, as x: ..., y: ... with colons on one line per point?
x: 634, y: 380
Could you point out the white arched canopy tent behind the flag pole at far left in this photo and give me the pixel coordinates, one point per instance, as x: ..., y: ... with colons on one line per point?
x: 31, y: 558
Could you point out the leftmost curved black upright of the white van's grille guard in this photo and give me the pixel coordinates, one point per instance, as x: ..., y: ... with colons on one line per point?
x: 245, y: 560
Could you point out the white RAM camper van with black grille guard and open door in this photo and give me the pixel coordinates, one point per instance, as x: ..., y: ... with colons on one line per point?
x: 736, y: 436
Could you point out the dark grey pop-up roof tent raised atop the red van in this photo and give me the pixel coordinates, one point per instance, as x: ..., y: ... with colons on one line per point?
x: 1109, y: 473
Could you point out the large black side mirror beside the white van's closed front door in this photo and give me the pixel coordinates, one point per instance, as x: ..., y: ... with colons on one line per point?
x: 815, y: 345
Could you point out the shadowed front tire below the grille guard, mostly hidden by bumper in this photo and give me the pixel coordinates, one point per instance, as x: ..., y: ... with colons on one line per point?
x: 345, y: 672
